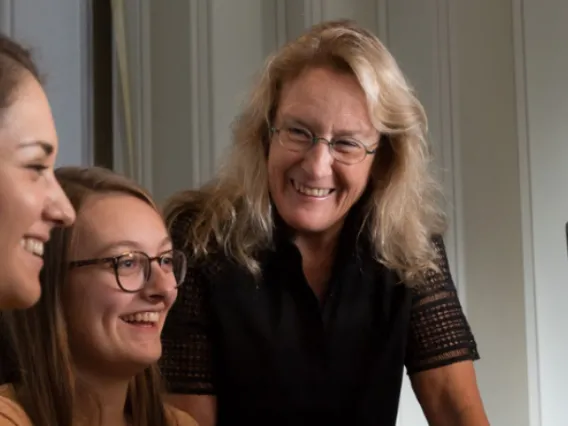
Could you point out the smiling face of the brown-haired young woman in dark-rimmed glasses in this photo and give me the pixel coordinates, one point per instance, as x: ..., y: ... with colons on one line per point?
x: 111, y: 331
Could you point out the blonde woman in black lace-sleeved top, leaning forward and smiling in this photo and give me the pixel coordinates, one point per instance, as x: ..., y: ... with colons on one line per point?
x: 318, y: 266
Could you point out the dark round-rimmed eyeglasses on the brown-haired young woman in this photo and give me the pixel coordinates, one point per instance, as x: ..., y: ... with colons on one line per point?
x: 133, y: 269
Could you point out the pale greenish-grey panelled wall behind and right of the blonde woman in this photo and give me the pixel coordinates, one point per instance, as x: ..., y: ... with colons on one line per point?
x: 491, y: 76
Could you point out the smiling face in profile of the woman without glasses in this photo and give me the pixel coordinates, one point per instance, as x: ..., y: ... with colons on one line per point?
x: 31, y: 200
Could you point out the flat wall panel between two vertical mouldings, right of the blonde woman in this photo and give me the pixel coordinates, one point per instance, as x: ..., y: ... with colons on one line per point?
x: 484, y: 74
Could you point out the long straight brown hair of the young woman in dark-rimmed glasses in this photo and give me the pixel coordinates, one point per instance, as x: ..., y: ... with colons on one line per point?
x: 47, y: 385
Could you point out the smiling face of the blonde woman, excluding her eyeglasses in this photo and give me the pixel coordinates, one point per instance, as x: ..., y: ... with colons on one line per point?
x: 312, y: 191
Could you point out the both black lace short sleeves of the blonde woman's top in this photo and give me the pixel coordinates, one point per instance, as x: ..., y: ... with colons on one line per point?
x: 439, y: 333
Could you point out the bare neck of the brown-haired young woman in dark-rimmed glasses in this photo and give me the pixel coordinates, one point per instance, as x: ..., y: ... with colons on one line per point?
x: 101, y: 398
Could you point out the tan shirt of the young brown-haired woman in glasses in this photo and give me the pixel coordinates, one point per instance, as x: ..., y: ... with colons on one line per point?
x: 12, y: 414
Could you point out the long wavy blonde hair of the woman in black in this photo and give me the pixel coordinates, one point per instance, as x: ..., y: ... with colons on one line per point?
x: 402, y: 213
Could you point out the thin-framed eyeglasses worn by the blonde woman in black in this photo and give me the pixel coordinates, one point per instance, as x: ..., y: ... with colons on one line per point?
x: 345, y: 150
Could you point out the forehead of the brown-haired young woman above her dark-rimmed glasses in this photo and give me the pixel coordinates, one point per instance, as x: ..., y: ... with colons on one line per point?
x: 107, y: 219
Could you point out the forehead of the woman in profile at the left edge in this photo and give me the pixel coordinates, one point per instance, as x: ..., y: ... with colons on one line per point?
x: 28, y: 117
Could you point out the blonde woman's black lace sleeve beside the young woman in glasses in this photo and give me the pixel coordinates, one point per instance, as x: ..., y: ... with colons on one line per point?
x: 186, y: 362
